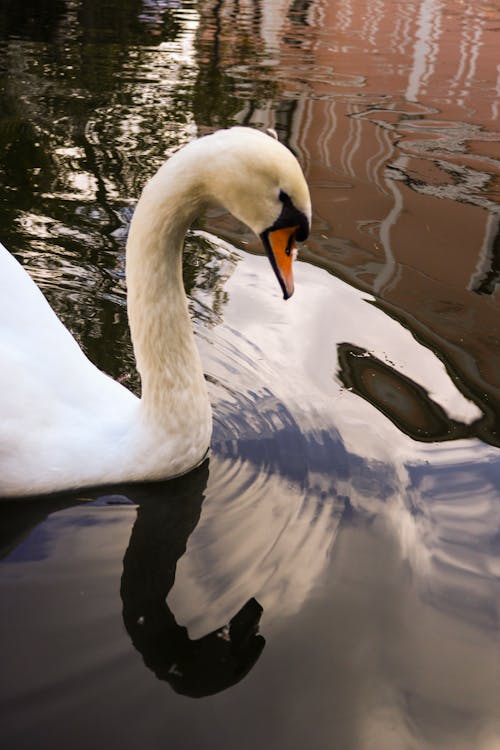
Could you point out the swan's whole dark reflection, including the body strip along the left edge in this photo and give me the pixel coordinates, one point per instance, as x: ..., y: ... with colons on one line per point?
x: 167, y: 514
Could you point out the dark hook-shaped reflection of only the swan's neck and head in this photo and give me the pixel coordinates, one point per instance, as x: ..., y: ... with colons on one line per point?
x: 198, y: 667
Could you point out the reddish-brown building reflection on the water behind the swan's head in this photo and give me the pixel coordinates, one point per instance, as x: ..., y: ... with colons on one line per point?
x: 392, y: 109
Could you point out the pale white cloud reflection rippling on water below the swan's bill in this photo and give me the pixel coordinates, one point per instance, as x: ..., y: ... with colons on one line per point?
x: 270, y: 536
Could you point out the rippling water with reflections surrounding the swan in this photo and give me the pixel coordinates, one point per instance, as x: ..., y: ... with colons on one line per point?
x: 329, y: 577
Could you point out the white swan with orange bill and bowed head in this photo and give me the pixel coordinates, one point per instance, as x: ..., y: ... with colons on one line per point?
x: 64, y: 424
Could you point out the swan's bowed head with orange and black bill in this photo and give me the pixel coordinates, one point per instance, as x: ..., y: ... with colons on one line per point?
x: 260, y: 182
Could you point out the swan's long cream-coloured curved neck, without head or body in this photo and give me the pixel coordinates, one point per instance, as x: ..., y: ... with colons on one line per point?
x: 173, y: 385
